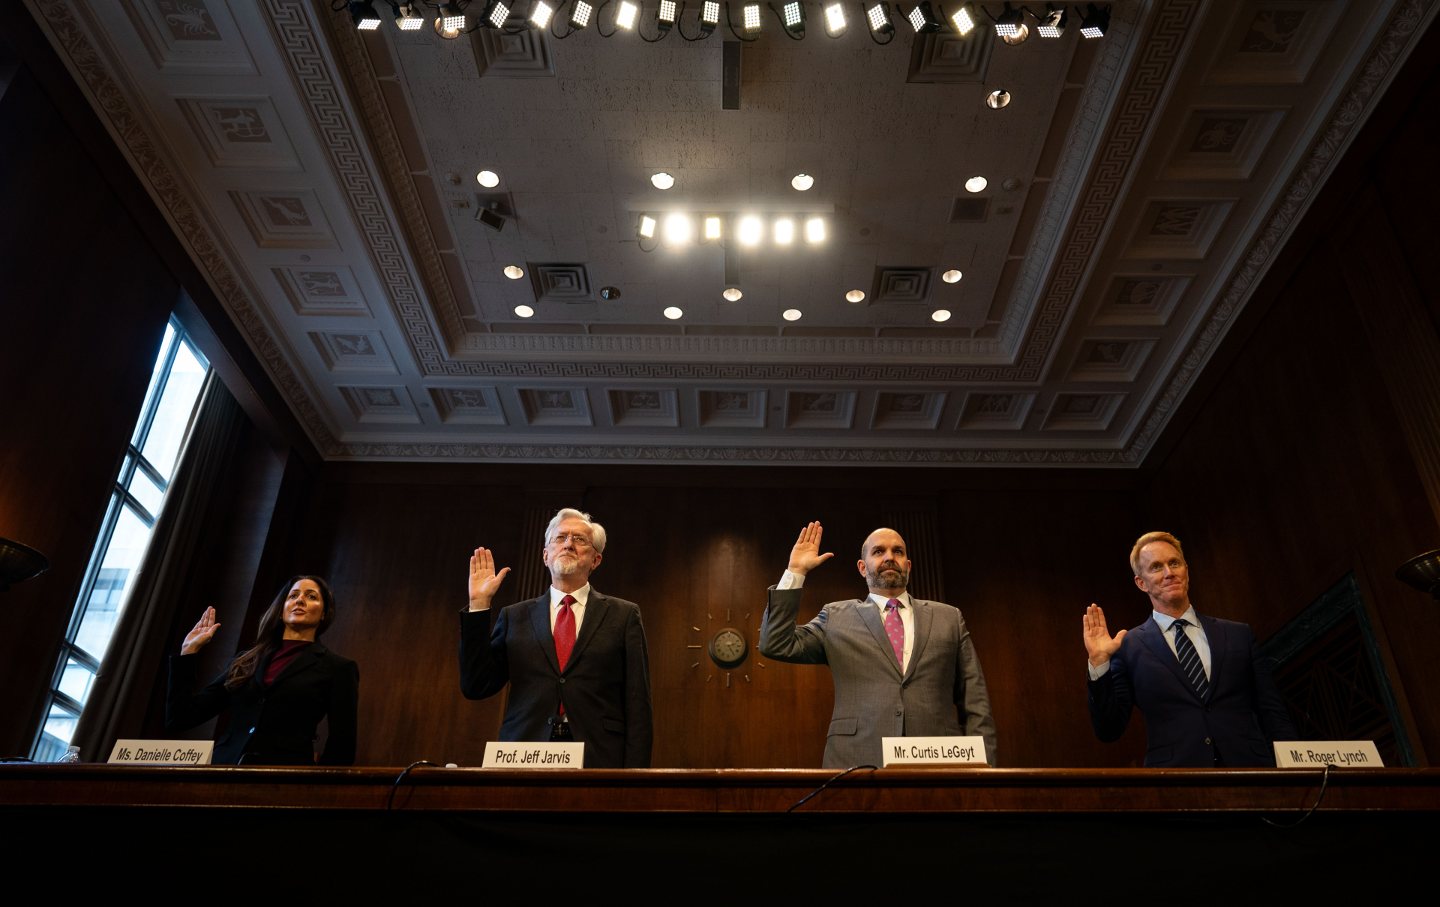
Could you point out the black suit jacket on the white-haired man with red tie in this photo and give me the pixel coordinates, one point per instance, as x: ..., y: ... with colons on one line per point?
x: 606, y: 686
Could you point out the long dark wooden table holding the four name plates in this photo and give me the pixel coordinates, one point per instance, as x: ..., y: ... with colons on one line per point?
x: 1020, y: 834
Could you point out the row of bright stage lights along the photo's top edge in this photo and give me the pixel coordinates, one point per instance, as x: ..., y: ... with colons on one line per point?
x: 451, y: 19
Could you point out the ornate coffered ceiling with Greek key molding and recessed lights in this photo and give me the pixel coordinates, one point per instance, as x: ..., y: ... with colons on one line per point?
x: 1138, y: 189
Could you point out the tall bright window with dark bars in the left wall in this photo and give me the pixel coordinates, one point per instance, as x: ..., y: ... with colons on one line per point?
x: 135, y: 503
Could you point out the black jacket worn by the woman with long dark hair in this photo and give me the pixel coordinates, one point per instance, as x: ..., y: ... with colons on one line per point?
x: 276, y: 725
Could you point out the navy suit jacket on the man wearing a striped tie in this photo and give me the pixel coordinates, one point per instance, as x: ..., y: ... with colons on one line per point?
x: 1233, y: 726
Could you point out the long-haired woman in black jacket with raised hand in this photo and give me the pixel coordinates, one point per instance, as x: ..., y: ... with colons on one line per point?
x: 279, y: 690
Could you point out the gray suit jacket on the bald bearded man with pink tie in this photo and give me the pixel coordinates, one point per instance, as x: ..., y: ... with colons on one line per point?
x: 942, y: 695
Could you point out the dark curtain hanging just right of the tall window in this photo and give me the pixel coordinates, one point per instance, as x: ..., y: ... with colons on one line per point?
x: 123, y: 689
